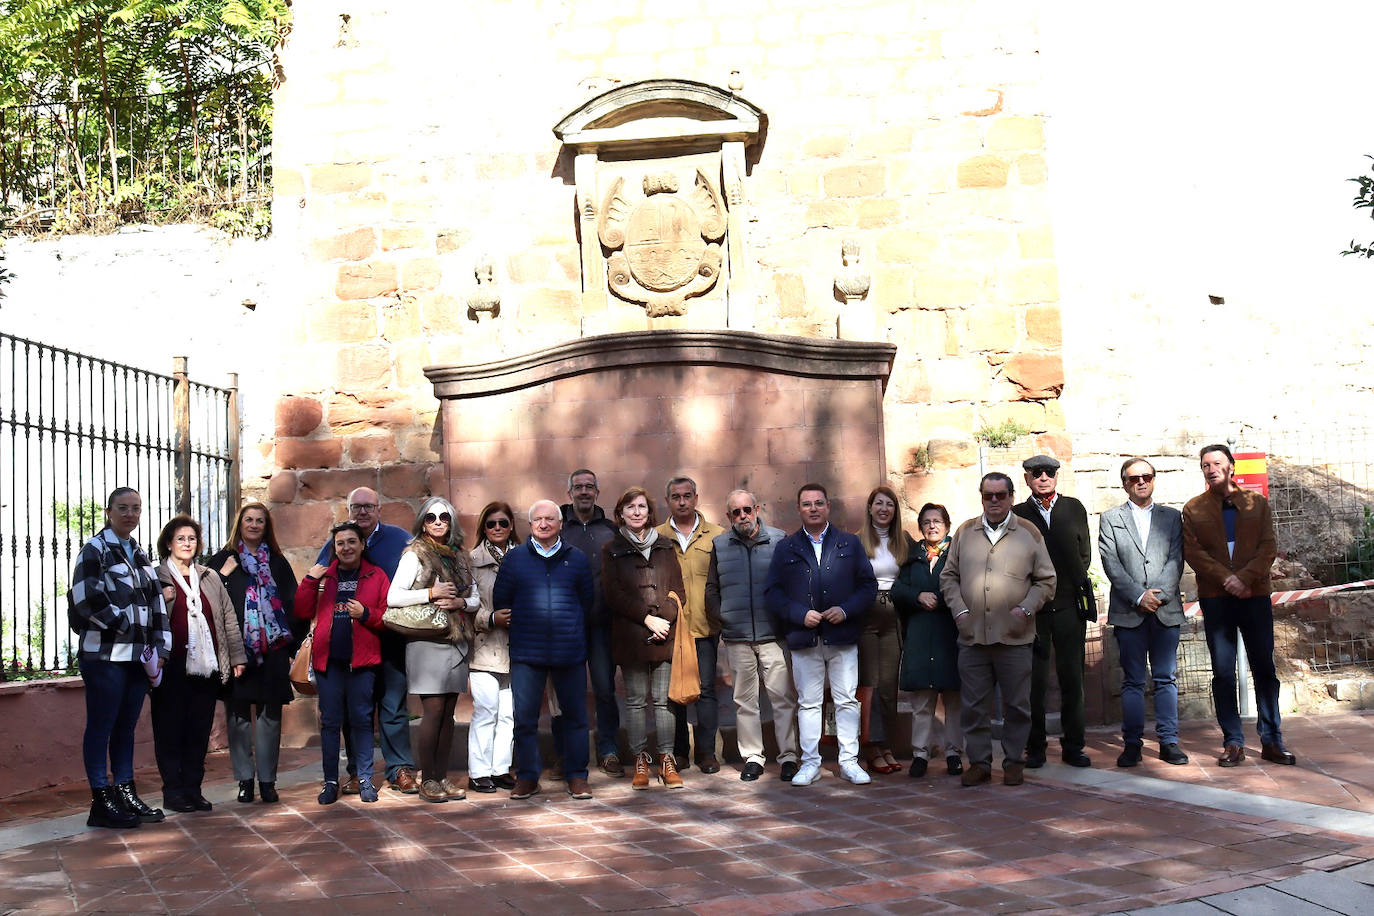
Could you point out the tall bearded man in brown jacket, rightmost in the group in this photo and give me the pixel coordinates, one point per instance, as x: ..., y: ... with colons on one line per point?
x: 1229, y: 542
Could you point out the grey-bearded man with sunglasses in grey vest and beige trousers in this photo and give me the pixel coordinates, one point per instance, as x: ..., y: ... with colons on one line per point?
x: 755, y: 650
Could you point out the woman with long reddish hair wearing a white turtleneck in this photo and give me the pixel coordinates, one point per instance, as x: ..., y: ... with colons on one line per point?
x: 880, y: 645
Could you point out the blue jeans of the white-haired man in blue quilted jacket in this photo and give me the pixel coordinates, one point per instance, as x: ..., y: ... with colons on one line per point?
x: 528, y: 694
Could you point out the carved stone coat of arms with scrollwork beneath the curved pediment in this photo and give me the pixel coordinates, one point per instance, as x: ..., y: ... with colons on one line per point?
x: 666, y: 248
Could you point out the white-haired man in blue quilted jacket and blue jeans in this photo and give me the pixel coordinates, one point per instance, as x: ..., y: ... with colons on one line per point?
x: 548, y: 587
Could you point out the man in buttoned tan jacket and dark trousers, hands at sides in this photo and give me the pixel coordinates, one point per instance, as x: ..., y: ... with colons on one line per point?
x: 998, y: 575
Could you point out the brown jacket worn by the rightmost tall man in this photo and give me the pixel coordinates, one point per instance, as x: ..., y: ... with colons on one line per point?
x: 1204, y: 543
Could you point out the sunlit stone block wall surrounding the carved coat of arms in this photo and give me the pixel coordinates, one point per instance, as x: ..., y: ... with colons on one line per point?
x: 919, y: 131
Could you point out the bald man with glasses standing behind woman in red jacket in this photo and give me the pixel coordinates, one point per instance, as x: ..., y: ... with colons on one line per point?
x: 385, y: 545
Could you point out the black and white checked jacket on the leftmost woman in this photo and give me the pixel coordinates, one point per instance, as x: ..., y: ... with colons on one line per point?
x: 116, y: 605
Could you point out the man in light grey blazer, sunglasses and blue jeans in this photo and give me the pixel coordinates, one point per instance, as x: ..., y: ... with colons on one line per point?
x: 1142, y: 554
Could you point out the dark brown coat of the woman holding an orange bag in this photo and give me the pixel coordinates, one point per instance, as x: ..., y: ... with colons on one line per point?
x: 637, y: 588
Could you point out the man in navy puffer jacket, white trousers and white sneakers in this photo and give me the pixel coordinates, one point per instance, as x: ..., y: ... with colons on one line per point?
x: 821, y: 586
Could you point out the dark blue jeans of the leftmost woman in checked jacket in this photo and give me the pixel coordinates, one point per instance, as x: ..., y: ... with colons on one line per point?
x: 115, y: 701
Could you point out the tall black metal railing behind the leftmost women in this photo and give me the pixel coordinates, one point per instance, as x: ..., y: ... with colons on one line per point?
x: 72, y: 429
